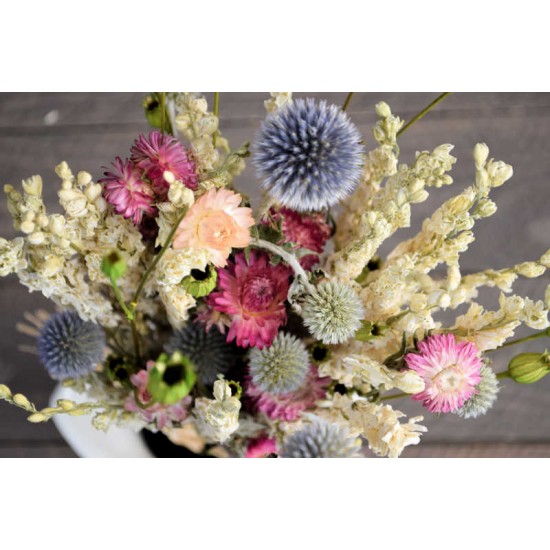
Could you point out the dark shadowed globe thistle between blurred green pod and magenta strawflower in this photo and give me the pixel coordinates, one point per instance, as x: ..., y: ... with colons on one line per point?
x: 208, y: 351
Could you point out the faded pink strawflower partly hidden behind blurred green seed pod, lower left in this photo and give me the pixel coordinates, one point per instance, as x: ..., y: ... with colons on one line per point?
x: 165, y: 416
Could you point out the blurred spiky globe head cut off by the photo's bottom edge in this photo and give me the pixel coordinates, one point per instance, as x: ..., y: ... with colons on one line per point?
x: 321, y: 439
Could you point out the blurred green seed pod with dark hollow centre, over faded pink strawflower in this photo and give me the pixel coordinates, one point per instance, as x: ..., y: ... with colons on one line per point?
x: 171, y: 378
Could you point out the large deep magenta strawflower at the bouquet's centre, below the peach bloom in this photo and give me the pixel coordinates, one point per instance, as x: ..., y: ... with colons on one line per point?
x: 253, y: 294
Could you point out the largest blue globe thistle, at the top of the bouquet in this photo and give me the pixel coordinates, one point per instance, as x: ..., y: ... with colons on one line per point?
x: 308, y: 155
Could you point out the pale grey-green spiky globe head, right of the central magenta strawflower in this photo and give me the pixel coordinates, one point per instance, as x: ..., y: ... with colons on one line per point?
x: 332, y: 312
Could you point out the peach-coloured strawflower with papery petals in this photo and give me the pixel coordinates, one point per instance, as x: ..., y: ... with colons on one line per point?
x: 217, y: 223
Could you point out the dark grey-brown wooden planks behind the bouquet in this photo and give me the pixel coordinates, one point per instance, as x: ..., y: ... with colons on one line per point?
x: 91, y: 129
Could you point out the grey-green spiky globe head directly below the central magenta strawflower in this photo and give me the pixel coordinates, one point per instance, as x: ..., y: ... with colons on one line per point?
x: 280, y: 368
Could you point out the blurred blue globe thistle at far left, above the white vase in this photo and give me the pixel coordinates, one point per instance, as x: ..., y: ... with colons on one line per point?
x: 70, y: 347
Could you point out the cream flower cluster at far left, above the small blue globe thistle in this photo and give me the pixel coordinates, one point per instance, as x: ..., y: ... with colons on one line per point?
x: 60, y: 254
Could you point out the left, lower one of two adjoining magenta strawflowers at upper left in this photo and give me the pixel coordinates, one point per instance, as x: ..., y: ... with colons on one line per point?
x: 130, y: 195
